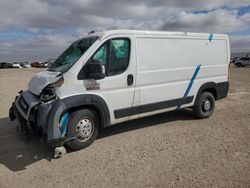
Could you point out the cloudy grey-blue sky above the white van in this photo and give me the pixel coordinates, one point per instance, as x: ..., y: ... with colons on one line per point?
x: 41, y: 29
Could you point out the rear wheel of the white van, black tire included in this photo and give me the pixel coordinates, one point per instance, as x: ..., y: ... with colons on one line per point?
x: 204, y: 105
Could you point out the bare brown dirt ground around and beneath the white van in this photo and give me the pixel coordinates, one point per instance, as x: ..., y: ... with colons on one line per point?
x: 168, y: 150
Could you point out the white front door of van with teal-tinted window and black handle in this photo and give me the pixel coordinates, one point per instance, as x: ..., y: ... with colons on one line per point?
x: 118, y: 87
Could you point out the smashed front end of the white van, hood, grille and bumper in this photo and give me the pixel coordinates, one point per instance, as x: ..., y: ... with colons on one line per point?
x: 39, y: 110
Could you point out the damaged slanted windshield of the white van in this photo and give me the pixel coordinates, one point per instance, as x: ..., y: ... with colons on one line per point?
x: 69, y: 57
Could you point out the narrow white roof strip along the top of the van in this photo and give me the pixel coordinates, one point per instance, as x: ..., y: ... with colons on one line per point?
x: 156, y: 33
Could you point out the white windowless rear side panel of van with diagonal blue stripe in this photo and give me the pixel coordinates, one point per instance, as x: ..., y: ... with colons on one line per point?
x: 166, y: 66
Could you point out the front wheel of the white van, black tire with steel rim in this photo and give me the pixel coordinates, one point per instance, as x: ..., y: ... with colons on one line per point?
x: 83, y: 126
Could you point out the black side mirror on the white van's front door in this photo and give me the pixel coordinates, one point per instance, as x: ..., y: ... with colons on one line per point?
x: 93, y: 70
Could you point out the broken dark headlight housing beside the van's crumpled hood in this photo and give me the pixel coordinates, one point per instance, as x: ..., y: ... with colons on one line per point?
x: 48, y: 93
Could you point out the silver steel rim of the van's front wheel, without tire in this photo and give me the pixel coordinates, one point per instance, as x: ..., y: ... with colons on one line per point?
x: 84, y: 129
